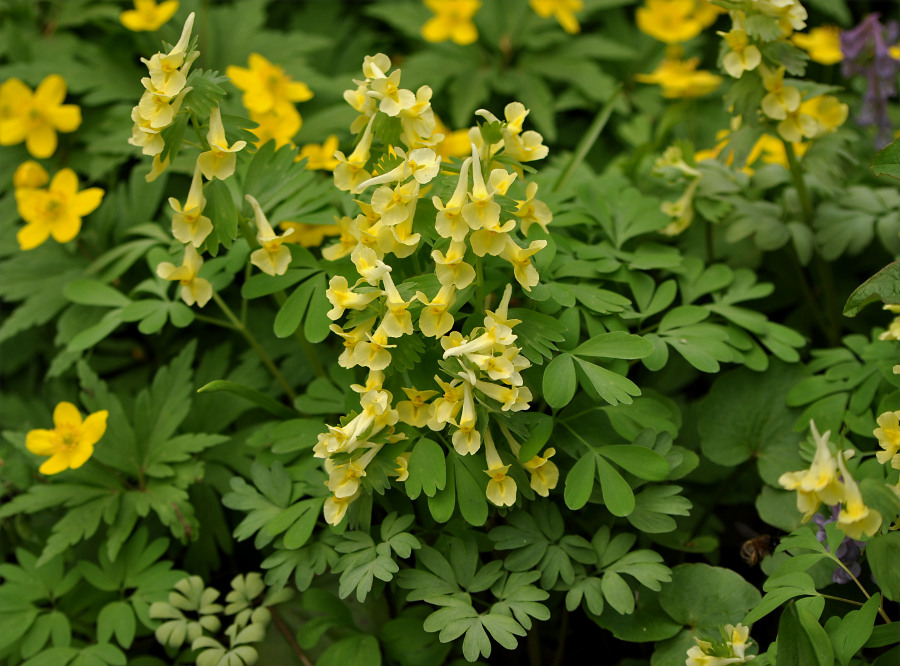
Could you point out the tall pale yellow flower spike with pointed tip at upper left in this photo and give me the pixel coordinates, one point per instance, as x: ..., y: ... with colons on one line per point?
x: 164, y: 91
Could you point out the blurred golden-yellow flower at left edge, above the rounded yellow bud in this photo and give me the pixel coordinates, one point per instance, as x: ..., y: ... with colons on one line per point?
x: 36, y: 116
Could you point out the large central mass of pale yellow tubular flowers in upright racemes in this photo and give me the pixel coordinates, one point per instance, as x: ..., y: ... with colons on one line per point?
x: 481, y: 368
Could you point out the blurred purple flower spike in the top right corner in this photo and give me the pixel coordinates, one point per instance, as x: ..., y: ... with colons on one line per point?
x: 866, y: 52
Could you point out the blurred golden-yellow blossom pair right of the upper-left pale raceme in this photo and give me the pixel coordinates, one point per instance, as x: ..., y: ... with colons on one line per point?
x: 269, y: 97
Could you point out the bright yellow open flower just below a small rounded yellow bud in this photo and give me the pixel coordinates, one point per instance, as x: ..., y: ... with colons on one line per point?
x: 56, y: 211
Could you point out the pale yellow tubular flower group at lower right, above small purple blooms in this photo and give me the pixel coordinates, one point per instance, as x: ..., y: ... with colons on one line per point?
x: 828, y: 480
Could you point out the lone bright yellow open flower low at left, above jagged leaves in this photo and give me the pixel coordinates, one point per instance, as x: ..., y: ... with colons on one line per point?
x: 72, y: 440
